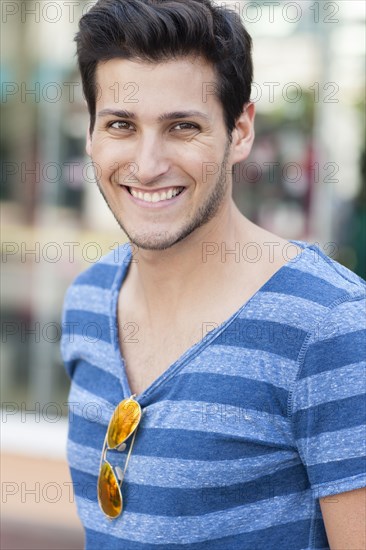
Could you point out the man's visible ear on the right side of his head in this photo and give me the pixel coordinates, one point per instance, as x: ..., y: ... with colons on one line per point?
x: 243, y: 134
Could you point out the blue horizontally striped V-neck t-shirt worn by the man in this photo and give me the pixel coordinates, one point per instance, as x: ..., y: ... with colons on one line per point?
x: 242, y: 435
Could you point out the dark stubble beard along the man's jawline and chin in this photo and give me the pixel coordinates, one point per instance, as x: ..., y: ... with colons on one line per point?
x: 164, y: 240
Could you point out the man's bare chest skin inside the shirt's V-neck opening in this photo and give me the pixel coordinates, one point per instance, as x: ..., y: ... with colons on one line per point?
x: 149, y: 348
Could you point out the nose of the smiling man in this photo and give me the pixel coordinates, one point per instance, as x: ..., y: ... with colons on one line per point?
x: 150, y: 161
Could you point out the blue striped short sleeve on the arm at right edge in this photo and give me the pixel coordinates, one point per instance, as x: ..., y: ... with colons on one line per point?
x: 328, y: 401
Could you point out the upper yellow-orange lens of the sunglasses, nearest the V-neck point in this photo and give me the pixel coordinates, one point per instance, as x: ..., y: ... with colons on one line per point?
x: 124, y: 421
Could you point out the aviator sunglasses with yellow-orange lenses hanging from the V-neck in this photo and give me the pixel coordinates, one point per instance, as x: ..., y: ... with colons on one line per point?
x: 122, y: 425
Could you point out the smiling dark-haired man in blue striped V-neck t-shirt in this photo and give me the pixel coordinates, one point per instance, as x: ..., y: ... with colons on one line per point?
x: 241, y: 381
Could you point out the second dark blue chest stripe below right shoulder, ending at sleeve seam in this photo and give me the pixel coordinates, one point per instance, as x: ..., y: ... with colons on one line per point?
x: 268, y: 336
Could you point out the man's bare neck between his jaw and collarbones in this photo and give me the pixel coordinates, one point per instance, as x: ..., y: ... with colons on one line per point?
x: 163, y: 280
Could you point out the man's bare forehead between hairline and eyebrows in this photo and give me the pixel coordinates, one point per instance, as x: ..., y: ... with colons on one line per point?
x: 181, y: 83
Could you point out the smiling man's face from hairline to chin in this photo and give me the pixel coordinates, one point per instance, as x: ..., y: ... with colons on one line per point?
x: 161, y: 148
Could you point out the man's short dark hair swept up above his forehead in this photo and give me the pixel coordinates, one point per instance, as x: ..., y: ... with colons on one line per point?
x: 161, y: 30
